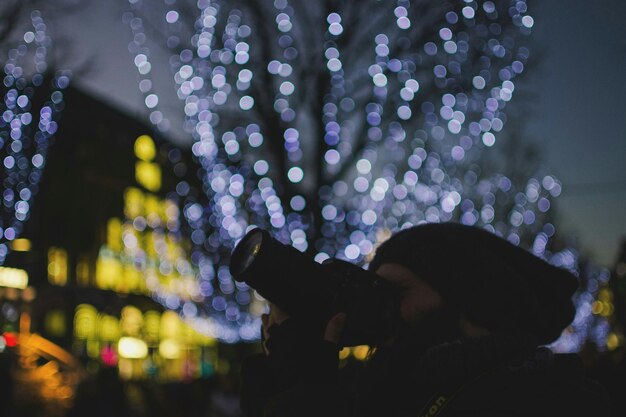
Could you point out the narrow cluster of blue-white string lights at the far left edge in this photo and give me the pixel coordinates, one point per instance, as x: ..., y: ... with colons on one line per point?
x: 25, y: 129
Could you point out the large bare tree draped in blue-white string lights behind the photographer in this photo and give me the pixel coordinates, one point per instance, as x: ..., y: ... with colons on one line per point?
x: 333, y: 124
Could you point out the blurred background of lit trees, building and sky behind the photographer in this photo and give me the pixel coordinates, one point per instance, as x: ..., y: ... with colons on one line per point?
x: 140, y: 141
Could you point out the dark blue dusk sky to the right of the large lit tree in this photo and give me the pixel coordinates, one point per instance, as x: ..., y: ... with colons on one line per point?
x: 581, y: 115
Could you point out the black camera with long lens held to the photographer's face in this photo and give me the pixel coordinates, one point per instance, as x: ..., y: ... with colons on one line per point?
x: 312, y: 292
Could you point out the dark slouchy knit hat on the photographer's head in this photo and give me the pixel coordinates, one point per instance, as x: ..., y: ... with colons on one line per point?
x: 496, y: 284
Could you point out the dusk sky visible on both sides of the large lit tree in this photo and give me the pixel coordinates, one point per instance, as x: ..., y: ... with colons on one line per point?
x: 579, y: 116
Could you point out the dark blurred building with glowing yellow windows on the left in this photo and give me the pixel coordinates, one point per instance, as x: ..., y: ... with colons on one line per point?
x: 104, y: 234
